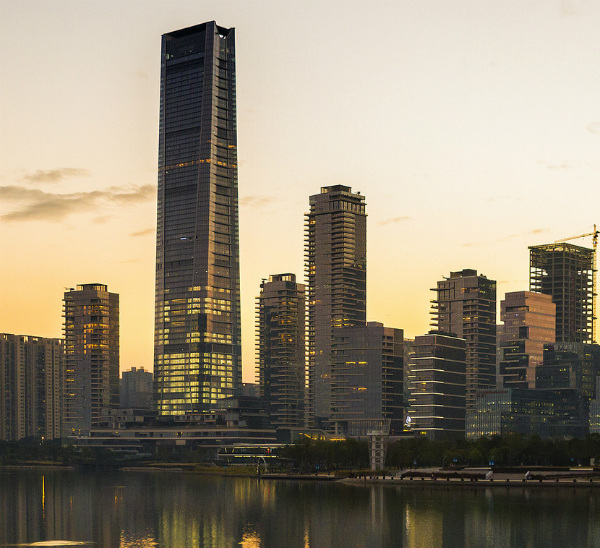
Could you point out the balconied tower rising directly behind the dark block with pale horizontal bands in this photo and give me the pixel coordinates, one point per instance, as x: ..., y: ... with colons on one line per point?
x: 465, y: 306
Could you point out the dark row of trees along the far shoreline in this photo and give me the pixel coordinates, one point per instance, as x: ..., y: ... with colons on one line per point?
x: 316, y: 455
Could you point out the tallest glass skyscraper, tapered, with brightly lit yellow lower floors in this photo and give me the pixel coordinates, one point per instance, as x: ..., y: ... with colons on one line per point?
x: 197, y: 353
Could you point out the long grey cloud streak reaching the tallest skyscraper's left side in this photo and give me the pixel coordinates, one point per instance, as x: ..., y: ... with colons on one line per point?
x: 48, y: 206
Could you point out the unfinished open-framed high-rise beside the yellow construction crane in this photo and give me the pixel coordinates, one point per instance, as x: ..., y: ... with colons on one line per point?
x: 566, y: 273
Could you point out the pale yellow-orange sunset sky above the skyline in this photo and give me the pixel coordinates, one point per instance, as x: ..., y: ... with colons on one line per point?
x: 471, y: 127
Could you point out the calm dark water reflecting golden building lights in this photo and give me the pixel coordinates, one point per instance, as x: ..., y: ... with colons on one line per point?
x: 177, y: 510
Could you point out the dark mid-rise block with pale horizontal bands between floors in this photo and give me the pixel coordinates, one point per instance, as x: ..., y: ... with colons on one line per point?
x: 438, y: 386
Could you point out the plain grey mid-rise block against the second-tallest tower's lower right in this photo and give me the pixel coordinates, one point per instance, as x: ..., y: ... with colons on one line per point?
x: 367, y: 394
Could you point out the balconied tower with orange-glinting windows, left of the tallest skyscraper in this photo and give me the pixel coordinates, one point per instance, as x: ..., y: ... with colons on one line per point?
x: 91, y: 329
